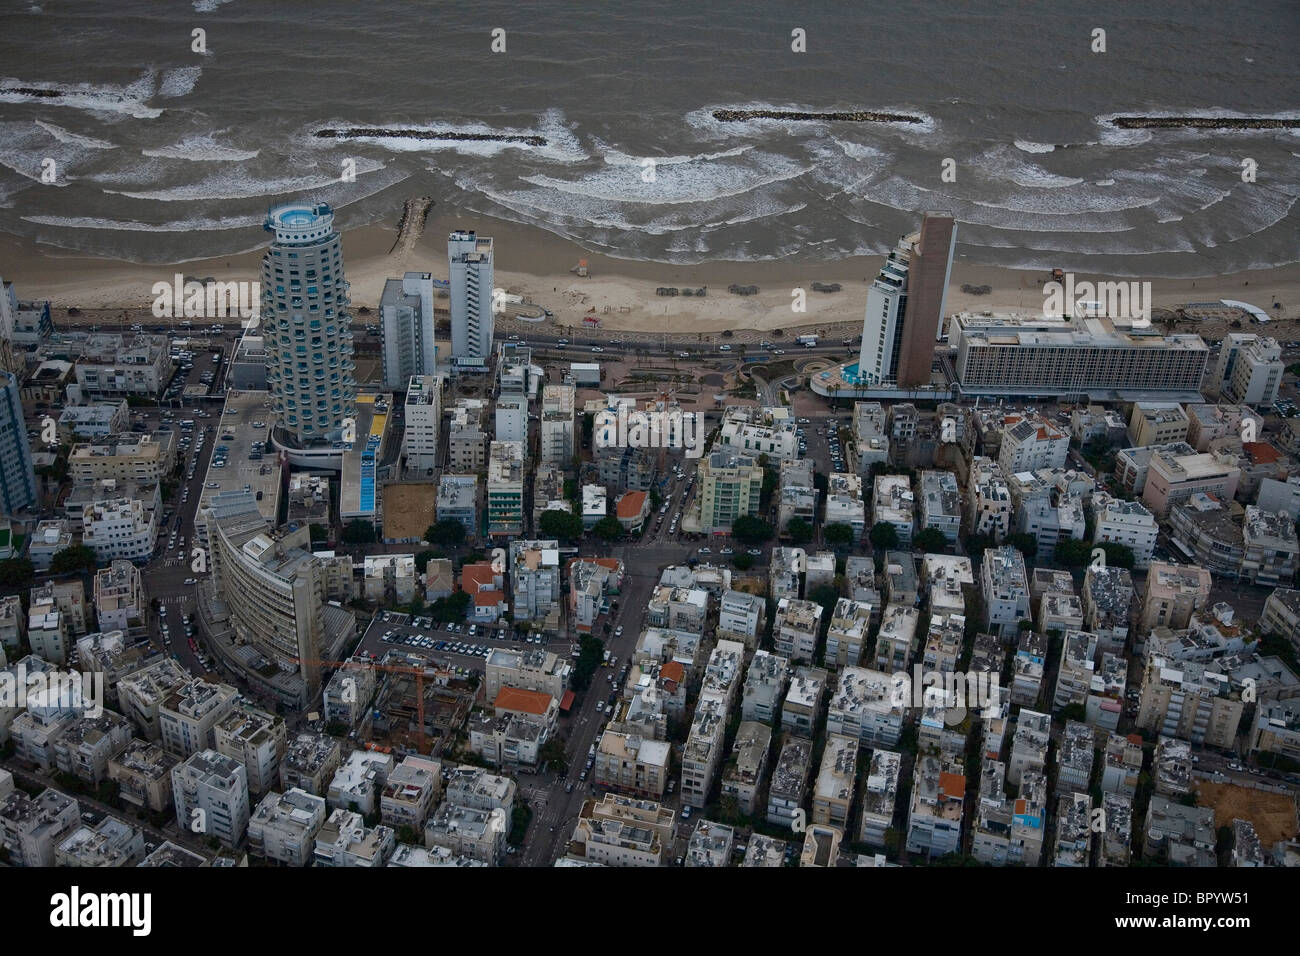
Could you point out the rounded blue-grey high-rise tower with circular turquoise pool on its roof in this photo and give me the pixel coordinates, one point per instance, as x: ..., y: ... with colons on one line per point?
x: 310, y: 369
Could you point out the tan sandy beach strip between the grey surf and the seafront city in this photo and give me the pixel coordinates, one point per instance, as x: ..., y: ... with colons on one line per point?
x: 622, y: 293
